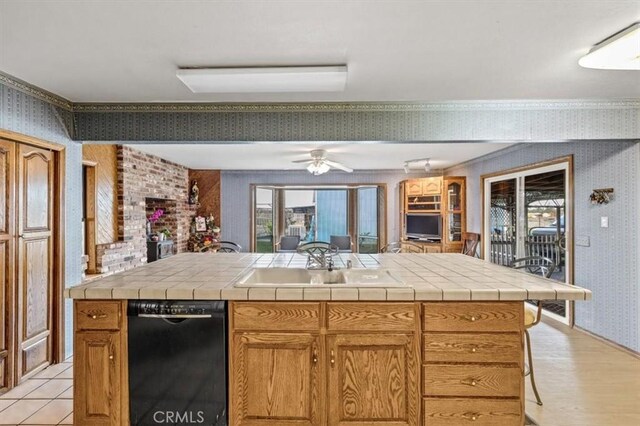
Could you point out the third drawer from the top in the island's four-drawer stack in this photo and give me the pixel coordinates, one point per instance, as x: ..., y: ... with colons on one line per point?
x: 471, y: 380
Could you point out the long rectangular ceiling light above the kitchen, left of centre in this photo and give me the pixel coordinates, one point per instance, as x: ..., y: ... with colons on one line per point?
x: 264, y: 80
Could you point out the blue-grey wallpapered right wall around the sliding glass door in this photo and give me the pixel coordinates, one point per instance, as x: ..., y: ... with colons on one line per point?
x: 609, y: 267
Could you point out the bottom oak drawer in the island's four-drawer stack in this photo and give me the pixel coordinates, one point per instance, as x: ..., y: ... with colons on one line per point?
x: 477, y: 412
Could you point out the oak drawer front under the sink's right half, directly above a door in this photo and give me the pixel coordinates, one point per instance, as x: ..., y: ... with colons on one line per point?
x: 371, y: 316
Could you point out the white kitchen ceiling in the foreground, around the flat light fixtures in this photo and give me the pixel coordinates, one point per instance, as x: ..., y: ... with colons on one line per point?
x: 401, y: 50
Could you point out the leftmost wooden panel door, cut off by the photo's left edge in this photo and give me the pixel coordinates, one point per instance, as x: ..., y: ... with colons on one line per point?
x: 7, y: 285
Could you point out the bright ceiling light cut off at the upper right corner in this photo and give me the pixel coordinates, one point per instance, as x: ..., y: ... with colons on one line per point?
x: 619, y: 52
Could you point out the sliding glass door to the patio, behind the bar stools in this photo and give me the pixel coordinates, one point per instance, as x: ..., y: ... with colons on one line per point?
x: 528, y: 215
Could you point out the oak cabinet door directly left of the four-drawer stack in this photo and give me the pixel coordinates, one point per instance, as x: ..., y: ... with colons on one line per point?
x: 373, y: 379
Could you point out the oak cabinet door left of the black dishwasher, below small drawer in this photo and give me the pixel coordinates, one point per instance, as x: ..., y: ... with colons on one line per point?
x: 97, y: 378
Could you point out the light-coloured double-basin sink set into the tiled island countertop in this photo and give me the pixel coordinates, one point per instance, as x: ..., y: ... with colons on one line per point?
x: 300, y: 277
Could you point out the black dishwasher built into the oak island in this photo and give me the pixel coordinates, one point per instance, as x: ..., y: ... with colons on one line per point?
x: 177, y: 362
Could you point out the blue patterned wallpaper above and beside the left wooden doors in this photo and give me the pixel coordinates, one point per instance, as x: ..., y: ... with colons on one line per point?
x: 24, y: 114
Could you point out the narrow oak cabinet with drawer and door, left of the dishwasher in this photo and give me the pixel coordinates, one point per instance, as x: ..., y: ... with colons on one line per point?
x: 100, y: 384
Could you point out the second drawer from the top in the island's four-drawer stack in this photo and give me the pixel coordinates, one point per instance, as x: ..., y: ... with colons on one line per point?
x: 472, y: 347
